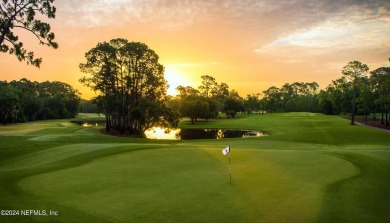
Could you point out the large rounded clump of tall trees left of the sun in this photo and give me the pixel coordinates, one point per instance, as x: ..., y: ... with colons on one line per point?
x: 131, y: 84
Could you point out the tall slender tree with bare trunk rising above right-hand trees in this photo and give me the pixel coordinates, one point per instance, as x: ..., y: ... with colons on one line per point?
x: 354, y: 71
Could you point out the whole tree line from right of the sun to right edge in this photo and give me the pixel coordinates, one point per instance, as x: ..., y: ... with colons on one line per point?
x: 358, y: 91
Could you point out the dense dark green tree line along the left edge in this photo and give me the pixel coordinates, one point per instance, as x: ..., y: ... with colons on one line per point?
x: 24, y: 100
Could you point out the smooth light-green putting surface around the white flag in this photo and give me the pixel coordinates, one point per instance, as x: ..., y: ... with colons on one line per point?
x: 177, y: 183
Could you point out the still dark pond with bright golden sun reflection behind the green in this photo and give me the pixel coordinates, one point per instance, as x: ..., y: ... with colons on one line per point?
x: 177, y: 134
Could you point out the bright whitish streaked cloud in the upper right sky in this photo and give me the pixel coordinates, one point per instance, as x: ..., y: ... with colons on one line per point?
x: 357, y: 28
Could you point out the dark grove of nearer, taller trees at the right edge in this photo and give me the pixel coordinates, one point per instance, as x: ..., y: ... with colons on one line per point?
x: 358, y: 91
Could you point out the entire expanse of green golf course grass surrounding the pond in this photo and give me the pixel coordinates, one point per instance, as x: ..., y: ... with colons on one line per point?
x: 311, y: 168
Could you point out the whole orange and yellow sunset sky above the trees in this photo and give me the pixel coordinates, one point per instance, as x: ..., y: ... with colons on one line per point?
x: 248, y: 44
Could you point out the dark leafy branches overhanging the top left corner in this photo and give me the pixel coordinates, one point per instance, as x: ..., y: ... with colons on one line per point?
x: 20, y: 14
